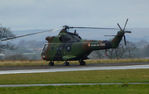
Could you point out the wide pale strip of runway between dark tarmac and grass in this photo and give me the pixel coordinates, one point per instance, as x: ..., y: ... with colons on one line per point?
x: 80, y: 68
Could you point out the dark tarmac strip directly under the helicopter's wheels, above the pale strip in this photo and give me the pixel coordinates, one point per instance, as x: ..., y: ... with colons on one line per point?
x: 71, y: 66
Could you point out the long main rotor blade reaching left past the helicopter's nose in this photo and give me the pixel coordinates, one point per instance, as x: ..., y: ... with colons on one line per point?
x: 9, y: 38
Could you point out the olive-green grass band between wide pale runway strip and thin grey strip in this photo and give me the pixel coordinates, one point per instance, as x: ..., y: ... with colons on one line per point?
x: 137, y: 75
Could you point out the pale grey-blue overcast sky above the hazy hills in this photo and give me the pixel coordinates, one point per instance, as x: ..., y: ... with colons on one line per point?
x: 41, y: 14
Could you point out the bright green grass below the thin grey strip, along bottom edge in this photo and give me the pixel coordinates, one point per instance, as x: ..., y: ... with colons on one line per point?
x: 98, y: 89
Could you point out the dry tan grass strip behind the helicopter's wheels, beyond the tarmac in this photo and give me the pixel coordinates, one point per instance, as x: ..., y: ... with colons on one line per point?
x: 41, y: 62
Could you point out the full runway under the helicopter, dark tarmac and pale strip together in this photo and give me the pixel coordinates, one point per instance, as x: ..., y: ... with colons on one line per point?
x: 60, y: 68
